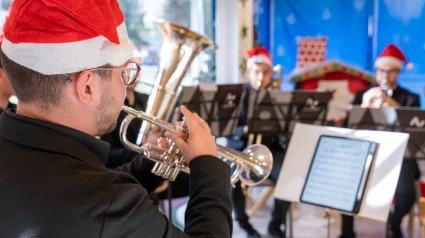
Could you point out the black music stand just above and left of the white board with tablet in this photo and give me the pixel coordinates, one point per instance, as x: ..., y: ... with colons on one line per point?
x: 272, y: 112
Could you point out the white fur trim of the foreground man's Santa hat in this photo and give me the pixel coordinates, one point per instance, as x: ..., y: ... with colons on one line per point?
x: 61, y: 58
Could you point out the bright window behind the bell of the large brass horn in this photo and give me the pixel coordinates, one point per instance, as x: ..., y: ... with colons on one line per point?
x: 194, y: 14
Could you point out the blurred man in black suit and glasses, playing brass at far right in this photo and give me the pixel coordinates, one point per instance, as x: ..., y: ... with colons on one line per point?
x: 389, y: 94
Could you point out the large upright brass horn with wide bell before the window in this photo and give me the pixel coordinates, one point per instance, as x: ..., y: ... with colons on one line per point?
x: 179, y: 47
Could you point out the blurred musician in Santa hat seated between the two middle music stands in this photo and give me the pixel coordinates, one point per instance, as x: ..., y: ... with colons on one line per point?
x: 260, y: 73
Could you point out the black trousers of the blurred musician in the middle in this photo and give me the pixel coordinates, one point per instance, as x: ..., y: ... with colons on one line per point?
x: 280, y: 207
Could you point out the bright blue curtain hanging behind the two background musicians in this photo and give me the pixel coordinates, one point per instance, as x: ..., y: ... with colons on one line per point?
x: 357, y: 31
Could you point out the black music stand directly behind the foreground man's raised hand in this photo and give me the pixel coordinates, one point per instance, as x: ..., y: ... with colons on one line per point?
x: 218, y: 105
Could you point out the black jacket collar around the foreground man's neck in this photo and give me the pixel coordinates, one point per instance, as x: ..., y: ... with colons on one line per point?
x: 52, y: 137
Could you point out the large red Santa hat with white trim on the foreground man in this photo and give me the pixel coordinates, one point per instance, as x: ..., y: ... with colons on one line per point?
x: 57, y: 37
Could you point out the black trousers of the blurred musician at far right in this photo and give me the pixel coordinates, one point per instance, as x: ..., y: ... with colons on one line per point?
x: 405, y: 197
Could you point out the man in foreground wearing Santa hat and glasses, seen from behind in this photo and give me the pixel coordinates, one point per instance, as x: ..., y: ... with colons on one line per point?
x: 69, y: 66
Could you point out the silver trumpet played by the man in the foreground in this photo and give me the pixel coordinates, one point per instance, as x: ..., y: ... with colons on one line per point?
x: 252, y: 166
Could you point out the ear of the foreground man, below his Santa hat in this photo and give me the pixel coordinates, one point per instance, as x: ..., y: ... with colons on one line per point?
x: 85, y: 86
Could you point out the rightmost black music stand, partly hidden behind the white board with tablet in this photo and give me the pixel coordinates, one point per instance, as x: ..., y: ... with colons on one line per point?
x: 402, y: 119
